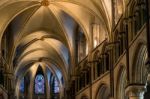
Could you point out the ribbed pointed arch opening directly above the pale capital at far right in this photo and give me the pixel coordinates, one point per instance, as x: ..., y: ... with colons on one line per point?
x: 139, y: 73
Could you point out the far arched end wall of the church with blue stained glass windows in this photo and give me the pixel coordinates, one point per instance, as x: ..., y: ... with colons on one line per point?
x: 44, y: 83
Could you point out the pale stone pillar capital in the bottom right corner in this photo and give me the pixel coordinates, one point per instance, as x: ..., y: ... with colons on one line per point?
x: 135, y: 91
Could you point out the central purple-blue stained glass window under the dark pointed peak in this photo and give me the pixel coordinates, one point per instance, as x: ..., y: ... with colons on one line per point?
x: 39, y: 84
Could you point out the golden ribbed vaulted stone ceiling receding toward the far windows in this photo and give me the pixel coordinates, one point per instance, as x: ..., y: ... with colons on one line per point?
x: 46, y: 34
